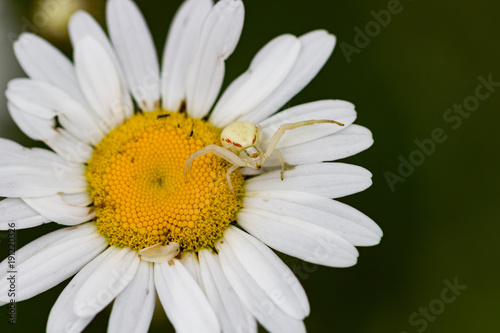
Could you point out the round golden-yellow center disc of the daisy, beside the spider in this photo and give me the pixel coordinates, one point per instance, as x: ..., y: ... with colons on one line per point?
x: 141, y: 195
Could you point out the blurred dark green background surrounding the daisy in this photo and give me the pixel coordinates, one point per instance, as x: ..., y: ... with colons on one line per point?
x: 441, y: 223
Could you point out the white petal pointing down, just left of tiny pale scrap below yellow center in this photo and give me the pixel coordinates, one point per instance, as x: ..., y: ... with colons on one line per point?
x: 133, y: 308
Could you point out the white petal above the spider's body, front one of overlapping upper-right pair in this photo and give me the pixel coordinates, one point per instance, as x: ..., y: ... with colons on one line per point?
x: 267, y: 71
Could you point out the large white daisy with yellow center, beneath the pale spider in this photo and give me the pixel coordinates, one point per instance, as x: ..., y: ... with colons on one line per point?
x: 121, y: 128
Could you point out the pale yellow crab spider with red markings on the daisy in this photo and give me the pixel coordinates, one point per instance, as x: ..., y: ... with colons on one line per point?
x: 242, y: 146
